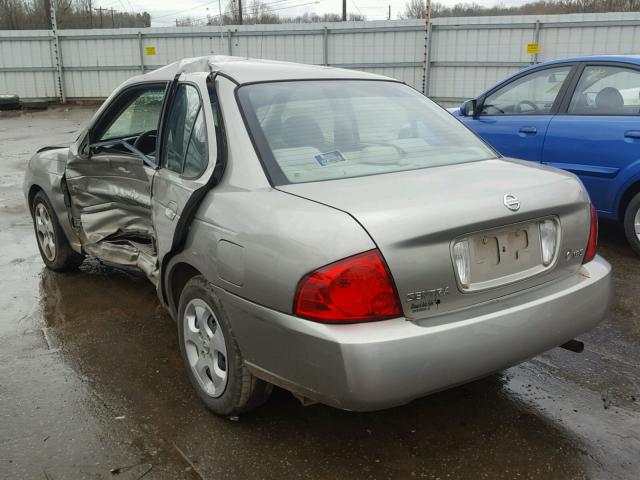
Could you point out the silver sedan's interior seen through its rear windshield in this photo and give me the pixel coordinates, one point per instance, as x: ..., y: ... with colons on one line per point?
x: 355, y: 134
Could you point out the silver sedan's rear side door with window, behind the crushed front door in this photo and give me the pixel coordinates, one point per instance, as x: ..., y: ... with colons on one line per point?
x: 188, y: 155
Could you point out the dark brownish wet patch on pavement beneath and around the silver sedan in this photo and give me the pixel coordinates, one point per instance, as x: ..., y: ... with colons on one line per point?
x: 110, y: 329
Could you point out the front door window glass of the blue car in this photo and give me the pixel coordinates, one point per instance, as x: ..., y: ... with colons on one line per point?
x: 532, y: 94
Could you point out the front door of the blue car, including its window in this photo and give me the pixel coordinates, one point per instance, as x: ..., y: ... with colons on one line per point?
x: 514, y: 116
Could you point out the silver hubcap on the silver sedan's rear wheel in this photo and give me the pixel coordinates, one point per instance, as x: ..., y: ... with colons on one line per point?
x: 205, y: 347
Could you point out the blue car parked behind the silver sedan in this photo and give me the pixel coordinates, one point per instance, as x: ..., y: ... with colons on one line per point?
x: 578, y: 114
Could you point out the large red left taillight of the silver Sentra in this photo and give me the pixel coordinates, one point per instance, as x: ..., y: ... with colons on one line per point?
x: 356, y: 289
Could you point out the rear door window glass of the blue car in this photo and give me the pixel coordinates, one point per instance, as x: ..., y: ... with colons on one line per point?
x: 604, y: 90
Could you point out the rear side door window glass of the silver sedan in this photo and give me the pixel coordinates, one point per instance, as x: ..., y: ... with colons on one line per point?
x: 185, y: 138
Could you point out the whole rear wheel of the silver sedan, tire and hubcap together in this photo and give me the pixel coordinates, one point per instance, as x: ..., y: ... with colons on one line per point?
x: 210, y: 352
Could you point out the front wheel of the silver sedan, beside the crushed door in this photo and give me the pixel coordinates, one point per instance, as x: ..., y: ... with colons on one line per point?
x: 54, y: 248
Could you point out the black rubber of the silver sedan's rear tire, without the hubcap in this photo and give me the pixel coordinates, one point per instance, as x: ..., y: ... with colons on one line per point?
x: 243, y: 391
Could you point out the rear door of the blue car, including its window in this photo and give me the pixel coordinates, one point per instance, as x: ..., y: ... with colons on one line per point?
x: 596, y: 133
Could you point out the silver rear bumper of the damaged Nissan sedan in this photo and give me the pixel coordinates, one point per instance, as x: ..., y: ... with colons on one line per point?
x: 377, y: 365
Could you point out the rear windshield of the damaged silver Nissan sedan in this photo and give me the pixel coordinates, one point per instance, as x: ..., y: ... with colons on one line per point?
x: 308, y: 131
